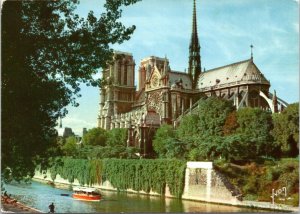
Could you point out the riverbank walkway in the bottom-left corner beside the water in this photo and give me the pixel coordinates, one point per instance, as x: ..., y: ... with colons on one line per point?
x: 10, y: 205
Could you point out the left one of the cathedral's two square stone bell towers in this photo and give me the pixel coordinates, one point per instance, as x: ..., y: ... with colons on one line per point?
x: 117, y: 95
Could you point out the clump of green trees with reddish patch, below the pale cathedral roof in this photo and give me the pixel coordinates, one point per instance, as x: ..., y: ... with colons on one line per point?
x: 217, y: 130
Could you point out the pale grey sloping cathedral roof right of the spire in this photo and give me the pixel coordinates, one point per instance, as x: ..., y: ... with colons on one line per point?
x: 244, y: 72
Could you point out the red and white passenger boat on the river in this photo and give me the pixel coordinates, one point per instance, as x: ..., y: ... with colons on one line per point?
x: 86, y: 194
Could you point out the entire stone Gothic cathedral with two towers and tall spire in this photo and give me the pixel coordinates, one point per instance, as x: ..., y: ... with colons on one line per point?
x: 164, y: 95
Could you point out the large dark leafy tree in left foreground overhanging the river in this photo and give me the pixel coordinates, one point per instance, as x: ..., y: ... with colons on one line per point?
x: 47, y: 52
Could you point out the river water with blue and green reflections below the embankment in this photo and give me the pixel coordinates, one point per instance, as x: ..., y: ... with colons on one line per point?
x: 39, y: 196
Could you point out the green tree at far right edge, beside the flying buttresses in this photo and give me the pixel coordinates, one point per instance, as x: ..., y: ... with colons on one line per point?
x: 286, y: 130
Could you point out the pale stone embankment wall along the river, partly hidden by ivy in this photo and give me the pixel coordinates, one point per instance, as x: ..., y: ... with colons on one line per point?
x: 202, y: 183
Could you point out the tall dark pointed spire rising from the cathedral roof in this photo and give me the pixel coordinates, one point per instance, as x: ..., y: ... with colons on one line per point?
x: 194, y: 52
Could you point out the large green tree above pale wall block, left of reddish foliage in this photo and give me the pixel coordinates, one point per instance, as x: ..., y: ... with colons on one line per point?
x: 203, y: 130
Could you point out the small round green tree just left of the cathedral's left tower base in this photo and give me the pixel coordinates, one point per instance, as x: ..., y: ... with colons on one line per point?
x: 95, y: 136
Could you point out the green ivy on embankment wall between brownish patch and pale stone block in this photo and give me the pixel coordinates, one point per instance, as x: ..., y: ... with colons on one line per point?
x: 146, y: 175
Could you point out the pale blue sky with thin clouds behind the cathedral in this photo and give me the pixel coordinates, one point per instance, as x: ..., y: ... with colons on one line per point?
x: 226, y: 28
